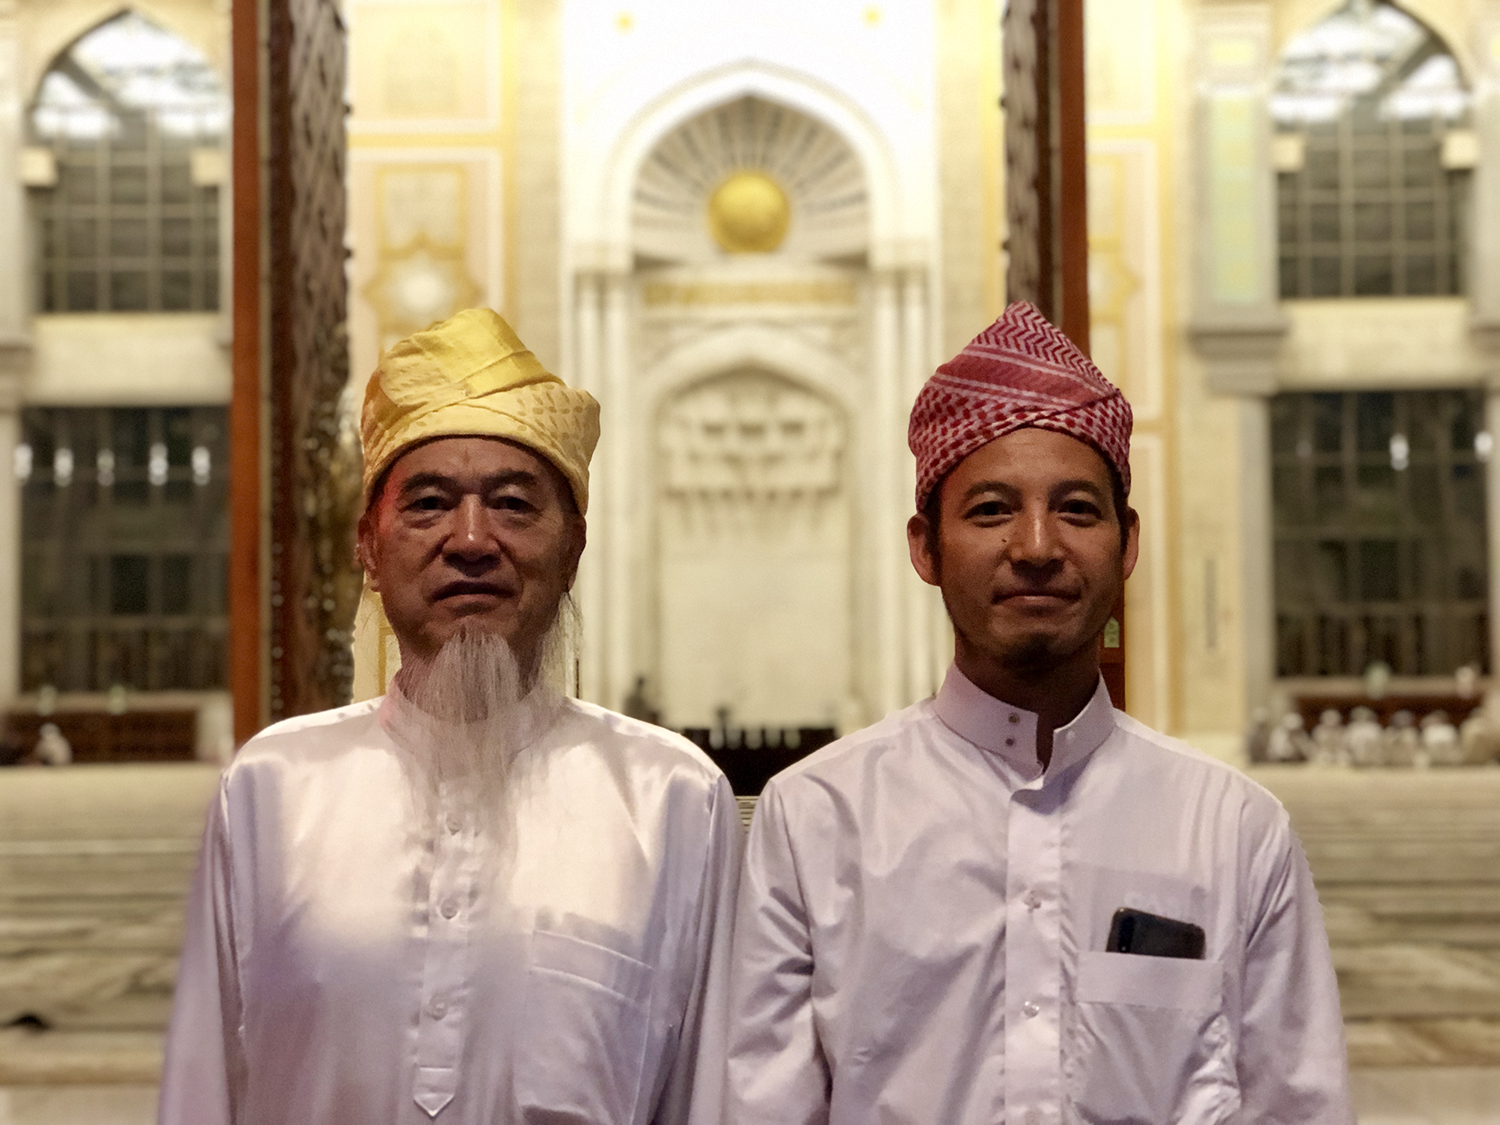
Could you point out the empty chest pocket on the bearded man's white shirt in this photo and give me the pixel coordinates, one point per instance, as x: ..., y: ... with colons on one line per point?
x: 583, y: 1040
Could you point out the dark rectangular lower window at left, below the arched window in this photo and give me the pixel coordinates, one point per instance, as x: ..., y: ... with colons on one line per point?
x: 125, y: 548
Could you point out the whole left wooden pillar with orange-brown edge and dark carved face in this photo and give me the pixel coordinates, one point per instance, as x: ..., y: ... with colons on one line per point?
x: 295, y: 491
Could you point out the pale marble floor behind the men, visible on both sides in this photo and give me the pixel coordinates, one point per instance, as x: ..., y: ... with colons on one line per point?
x: 95, y: 862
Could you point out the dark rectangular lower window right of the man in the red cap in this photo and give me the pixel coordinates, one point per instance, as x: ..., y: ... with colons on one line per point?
x: 1379, y: 509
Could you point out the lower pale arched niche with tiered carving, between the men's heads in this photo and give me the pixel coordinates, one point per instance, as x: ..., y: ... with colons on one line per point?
x: 754, y: 539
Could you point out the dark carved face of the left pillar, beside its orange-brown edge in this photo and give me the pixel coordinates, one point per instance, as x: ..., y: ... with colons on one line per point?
x: 314, y: 472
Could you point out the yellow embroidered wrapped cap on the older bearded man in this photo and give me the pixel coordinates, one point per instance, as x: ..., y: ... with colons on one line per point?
x: 472, y: 376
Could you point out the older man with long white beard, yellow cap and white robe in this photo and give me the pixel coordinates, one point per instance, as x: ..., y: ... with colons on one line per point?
x: 475, y: 901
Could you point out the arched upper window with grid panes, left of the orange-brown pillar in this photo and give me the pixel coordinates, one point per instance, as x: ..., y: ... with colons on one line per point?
x: 125, y: 166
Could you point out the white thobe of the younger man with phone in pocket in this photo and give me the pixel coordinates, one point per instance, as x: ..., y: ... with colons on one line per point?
x: 923, y: 923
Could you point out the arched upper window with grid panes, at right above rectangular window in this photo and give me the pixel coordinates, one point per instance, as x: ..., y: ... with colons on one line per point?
x: 1372, y: 118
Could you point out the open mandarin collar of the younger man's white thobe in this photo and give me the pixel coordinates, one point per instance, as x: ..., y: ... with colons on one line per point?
x: 1012, y: 733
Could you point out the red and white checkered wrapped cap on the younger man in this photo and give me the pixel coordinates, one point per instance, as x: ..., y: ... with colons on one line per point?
x: 1018, y: 373
